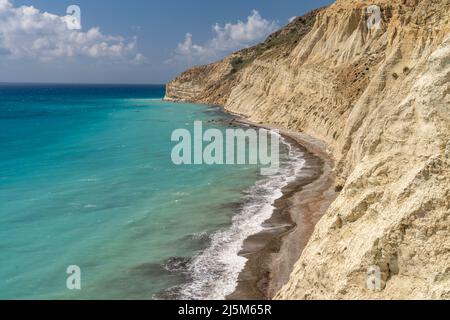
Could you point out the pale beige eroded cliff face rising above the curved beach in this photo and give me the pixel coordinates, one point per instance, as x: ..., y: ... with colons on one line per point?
x: 380, y: 98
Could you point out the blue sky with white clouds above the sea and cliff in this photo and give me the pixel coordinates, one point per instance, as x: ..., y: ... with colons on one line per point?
x: 130, y: 41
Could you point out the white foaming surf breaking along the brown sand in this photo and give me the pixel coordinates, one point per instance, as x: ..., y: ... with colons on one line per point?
x: 214, y: 273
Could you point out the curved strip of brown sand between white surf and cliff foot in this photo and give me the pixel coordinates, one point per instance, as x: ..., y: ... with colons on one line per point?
x: 273, y: 252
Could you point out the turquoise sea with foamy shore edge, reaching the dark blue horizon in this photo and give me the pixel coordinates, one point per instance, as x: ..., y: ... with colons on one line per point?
x: 86, y: 179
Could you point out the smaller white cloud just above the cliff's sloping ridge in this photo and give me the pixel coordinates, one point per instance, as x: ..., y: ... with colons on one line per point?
x: 227, y: 38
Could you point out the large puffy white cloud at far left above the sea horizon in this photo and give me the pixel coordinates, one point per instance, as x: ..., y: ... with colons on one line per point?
x: 26, y: 32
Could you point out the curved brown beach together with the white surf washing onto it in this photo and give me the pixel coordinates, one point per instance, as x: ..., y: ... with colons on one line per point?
x: 253, y: 258
